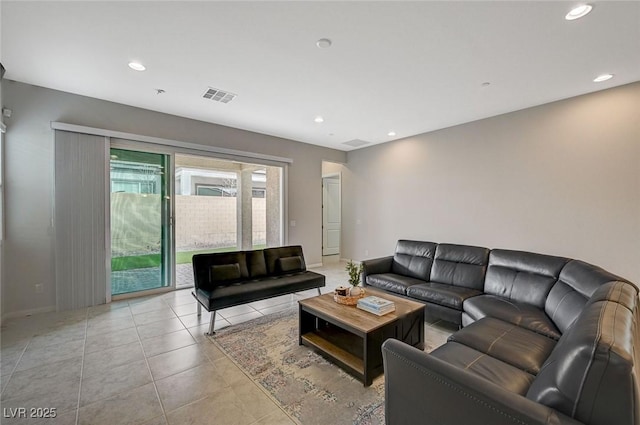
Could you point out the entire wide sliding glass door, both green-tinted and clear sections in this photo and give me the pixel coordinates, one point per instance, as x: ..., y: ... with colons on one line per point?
x: 166, y: 207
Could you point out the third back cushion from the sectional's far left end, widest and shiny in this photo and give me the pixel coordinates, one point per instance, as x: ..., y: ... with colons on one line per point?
x: 522, y: 276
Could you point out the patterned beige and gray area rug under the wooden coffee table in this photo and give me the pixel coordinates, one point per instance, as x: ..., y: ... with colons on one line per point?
x: 308, y: 387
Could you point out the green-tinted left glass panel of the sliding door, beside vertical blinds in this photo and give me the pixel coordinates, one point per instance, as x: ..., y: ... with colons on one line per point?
x: 140, y: 221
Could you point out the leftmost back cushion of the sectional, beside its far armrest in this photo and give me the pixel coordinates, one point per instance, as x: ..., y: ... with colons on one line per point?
x: 413, y: 259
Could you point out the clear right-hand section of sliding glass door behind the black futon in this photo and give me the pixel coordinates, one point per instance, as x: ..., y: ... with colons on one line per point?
x: 223, y: 205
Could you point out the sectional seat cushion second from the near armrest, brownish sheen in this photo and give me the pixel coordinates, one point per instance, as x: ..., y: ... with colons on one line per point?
x: 510, y: 343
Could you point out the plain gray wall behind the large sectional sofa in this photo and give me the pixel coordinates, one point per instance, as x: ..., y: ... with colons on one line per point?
x: 562, y: 178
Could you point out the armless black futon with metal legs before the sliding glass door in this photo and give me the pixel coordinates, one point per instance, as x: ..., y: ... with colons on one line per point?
x: 228, y: 279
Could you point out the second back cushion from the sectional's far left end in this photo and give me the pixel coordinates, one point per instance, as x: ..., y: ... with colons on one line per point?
x: 460, y: 265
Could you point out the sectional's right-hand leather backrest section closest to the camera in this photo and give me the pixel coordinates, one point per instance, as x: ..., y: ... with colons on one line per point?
x: 591, y: 374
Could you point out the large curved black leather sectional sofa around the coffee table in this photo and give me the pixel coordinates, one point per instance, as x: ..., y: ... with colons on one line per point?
x: 544, y: 339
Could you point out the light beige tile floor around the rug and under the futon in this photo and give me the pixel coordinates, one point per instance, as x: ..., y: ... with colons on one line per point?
x: 143, y: 361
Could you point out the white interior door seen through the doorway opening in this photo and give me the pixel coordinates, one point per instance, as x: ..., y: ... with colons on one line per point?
x: 331, y: 213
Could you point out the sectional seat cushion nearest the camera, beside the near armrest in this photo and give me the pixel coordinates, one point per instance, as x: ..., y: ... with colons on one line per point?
x: 485, y: 366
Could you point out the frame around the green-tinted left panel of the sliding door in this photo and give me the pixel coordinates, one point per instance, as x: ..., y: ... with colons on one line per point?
x: 170, y: 237
